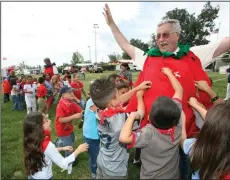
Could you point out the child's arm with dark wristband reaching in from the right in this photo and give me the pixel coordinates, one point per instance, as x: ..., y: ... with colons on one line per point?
x: 203, y: 86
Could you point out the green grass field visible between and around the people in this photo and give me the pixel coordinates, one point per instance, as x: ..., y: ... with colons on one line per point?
x: 11, y: 138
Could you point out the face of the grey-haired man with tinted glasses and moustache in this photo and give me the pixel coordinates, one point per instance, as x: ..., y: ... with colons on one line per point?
x: 166, y: 38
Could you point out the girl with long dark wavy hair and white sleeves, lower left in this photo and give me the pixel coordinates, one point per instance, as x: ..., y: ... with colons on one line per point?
x: 40, y: 152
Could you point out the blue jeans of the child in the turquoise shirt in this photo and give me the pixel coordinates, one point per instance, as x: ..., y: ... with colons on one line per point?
x: 93, y: 152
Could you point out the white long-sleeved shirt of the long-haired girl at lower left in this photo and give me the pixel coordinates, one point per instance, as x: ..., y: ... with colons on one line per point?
x: 52, y: 155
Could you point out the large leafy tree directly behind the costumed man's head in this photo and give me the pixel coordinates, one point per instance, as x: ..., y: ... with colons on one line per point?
x: 194, y: 29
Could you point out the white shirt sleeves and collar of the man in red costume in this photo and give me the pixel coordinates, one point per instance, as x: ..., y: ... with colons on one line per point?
x: 204, y: 53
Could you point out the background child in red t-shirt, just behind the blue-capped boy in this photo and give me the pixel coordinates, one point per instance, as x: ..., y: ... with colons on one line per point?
x: 78, y: 87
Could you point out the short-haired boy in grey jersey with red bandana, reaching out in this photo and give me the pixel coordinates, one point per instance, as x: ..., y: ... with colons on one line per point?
x: 112, y: 160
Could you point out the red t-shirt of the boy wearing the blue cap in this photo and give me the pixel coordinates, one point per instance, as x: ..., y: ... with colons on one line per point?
x: 65, y: 108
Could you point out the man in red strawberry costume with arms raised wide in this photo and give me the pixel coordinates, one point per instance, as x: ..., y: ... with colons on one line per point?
x: 185, y: 63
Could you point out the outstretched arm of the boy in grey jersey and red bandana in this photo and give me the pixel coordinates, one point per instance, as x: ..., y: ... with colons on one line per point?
x: 144, y: 85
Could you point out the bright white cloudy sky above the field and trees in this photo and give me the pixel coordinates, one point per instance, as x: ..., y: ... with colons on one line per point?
x: 31, y: 31
